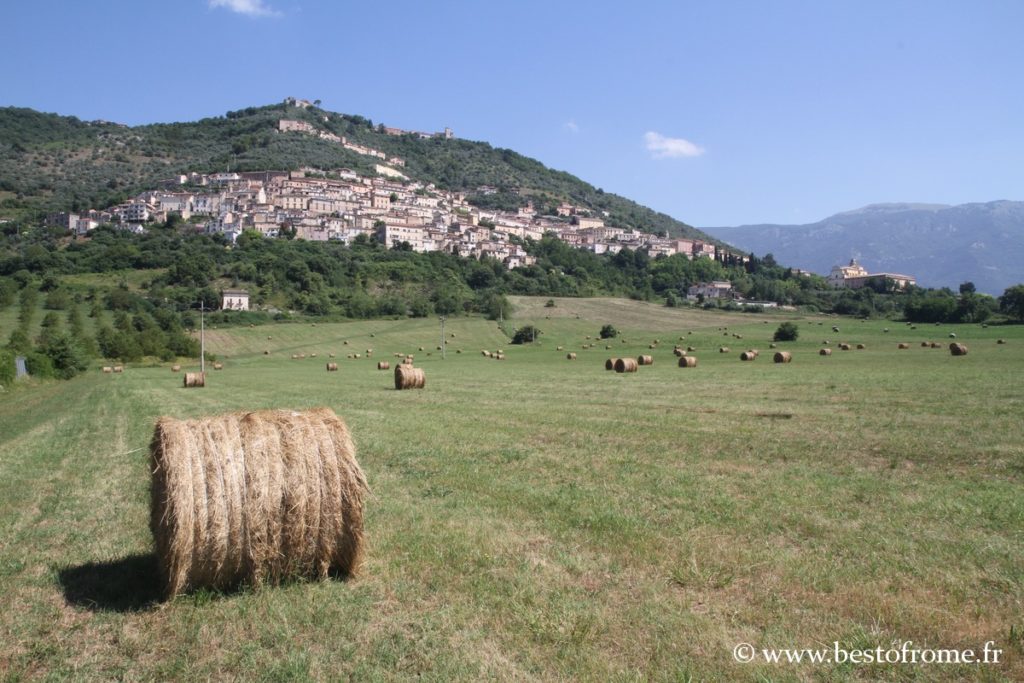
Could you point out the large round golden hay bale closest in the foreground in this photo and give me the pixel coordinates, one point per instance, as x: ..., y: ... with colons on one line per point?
x: 292, y: 506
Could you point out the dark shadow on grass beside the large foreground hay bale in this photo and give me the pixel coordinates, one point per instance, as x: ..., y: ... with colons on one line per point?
x: 127, y: 585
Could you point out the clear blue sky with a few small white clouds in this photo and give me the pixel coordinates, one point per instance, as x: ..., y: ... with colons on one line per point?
x: 716, y: 113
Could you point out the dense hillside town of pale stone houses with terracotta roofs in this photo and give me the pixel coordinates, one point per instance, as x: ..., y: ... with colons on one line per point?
x: 342, y: 205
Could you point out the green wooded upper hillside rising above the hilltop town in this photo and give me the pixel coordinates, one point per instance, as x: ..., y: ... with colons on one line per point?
x: 51, y: 162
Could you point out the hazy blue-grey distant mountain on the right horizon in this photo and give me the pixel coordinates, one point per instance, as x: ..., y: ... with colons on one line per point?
x: 942, y: 246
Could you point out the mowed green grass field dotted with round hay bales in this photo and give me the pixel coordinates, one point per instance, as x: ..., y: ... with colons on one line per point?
x: 539, y: 519
